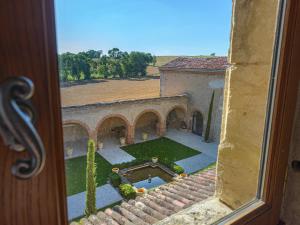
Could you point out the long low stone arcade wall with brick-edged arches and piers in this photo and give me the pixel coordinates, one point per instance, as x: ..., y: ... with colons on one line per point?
x: 92, y: 116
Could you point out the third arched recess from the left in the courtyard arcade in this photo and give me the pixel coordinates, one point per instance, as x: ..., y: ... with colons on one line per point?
x: 149, y: 121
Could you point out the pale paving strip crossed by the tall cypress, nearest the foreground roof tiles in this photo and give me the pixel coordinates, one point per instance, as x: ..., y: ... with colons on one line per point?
x: 105, y: 195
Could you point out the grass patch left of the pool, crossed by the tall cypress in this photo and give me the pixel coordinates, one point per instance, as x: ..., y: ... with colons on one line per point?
x: 75, y: 170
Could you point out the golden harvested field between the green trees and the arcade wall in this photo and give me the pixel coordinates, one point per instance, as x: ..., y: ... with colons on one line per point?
x: 109, y: 90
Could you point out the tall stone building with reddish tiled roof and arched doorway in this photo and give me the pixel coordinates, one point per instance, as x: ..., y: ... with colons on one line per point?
x: 198, y: 78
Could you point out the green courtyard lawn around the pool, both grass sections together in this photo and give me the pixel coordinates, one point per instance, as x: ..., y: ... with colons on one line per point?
x: 166, y: 150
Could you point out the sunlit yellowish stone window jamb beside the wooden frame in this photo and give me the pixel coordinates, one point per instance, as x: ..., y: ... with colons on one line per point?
x: 245, y: 98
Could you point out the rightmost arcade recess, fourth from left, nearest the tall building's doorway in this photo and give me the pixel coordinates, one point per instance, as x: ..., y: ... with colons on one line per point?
x: 176, y: 117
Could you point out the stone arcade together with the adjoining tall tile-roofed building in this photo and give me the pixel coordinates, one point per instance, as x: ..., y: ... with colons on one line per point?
x: 186, y: 88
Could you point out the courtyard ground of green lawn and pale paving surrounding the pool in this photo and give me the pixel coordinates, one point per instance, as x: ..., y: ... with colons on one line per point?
x: 180, y: 148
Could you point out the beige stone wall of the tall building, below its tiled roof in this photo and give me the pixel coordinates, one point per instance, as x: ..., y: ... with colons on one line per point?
x: 199, y: 86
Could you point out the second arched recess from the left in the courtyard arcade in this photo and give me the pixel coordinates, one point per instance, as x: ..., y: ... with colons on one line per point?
x: 111, y: 128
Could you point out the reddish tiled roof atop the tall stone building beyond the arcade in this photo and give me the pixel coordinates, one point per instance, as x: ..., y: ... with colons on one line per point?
x: 199, y: 64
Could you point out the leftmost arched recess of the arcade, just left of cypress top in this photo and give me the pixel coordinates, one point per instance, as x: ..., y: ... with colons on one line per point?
x: 76, y: 135
